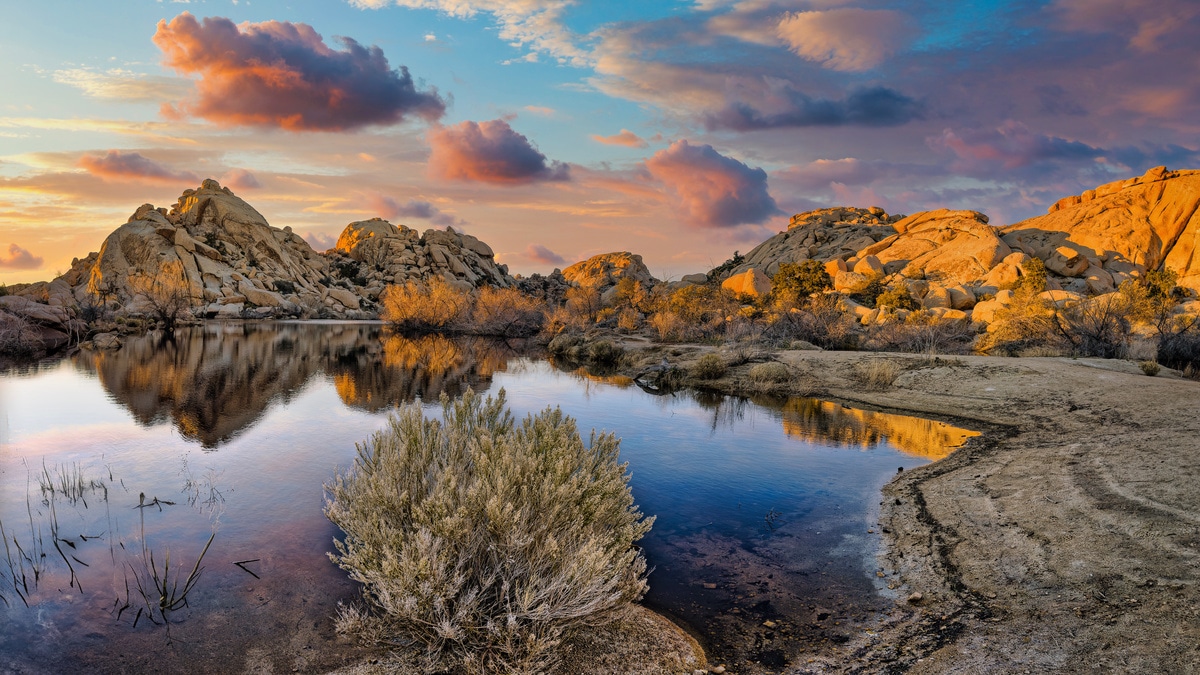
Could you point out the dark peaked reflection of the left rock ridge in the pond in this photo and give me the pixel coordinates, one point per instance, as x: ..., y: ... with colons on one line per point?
x: 215, y: 381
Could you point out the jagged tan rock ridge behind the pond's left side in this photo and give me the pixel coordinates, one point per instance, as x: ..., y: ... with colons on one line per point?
x: 235, y: 265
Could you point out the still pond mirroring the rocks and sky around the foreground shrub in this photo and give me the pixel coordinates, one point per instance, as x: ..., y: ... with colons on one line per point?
x: 111, y: 462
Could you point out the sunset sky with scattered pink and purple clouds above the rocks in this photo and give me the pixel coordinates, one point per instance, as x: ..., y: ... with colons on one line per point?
x: 555, y: 130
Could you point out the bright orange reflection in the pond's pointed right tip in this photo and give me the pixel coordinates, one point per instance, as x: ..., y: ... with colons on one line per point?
x: 827, y: 422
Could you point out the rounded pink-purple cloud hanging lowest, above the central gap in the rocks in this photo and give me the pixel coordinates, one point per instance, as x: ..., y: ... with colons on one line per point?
x: 712, y: 189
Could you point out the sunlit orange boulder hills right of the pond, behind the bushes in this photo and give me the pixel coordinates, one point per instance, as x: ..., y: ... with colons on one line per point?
x: 1089, y: 244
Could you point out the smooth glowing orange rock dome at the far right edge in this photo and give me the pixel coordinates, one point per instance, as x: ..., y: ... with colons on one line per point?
x: 1099, y: 240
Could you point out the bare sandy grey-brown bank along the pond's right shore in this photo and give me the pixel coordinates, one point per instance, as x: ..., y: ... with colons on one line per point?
x: 1066, y: 539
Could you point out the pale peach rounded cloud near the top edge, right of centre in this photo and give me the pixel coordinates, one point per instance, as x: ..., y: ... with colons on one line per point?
x: 845, y: 39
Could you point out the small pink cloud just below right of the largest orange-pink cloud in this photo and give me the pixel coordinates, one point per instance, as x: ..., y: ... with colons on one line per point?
x: 490, y: 152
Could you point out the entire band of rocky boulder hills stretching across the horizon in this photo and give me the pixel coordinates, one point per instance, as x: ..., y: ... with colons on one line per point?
x: 231, y: 264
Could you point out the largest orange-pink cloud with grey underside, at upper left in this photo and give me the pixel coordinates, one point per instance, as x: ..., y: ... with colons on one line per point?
x: 284, y: 75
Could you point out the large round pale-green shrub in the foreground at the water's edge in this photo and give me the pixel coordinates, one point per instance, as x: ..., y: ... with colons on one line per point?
x: 484, y: 540
